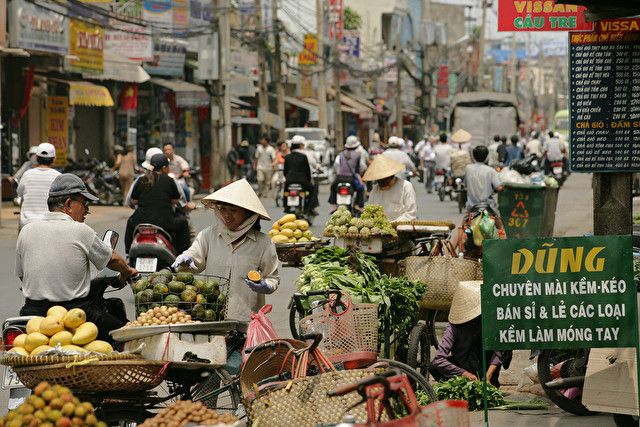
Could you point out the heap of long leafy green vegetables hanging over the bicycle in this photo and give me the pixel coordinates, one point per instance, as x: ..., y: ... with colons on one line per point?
x: 357, y: 274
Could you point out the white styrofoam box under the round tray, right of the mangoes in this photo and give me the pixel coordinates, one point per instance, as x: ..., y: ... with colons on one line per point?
x: 210, y: 347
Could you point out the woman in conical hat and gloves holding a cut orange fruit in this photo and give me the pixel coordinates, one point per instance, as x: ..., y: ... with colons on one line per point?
x: 234, y: 246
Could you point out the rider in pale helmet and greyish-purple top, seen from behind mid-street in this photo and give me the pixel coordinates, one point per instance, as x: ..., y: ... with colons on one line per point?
x: 349, y: 167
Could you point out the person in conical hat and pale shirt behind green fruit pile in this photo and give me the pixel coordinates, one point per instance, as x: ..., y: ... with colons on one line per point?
x: 395, y: 195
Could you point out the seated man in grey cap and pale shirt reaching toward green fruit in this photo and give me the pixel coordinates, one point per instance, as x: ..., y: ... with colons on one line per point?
x: 54, y: 256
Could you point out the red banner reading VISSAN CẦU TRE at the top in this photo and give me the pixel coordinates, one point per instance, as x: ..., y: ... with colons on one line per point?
x: 541, y: 15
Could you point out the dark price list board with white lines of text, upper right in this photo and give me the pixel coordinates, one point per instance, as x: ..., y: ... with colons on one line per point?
x: 604, y: 74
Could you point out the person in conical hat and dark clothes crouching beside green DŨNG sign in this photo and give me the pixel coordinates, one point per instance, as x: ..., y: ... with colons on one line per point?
x: 460, y: 349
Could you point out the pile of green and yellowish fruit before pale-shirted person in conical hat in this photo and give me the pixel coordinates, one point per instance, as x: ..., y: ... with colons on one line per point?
x: 372, y: 223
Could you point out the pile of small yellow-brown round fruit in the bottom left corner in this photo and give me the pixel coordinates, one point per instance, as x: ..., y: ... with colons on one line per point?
x: 51, y: 406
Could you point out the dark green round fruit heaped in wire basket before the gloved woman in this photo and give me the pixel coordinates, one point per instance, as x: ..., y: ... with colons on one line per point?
x: 200, y: 297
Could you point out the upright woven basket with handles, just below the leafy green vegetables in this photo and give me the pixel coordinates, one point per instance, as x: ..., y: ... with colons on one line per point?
x: 351, y: 335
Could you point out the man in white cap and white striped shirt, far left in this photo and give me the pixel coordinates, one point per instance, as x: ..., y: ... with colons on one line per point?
x: 35, y: 183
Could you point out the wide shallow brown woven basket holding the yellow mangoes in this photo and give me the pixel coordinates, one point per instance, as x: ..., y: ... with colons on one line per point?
x: 117, y: 375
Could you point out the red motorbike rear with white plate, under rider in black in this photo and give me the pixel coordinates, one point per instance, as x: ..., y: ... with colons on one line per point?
x: 151, y: 249
